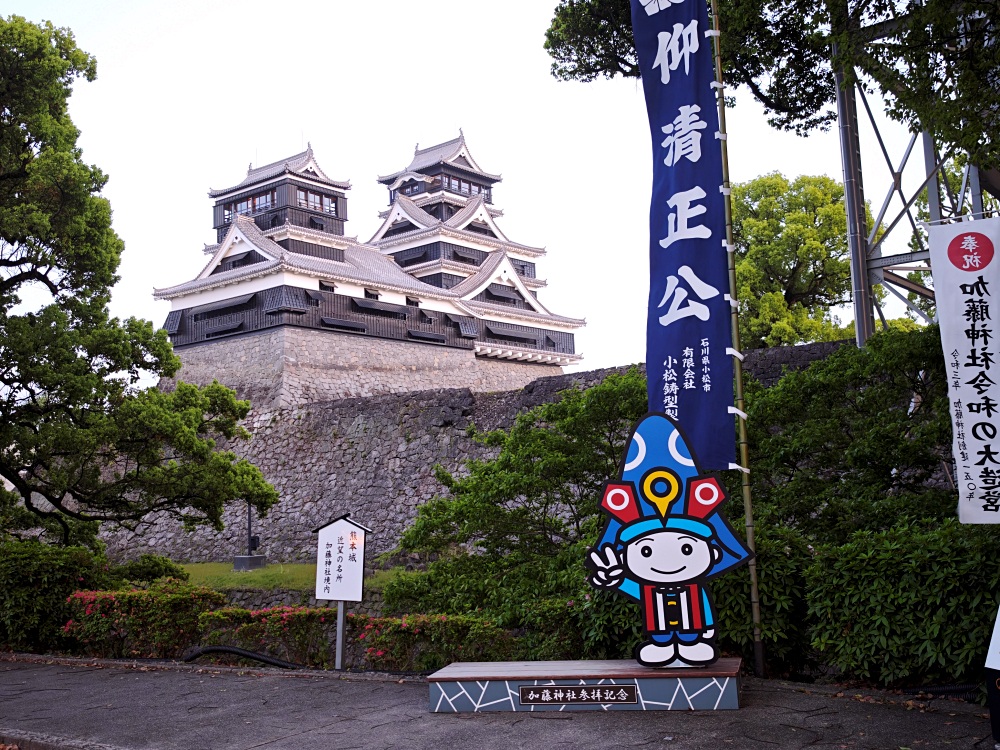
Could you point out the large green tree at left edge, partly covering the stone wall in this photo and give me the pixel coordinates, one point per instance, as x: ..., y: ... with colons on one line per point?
x: 80, y: 442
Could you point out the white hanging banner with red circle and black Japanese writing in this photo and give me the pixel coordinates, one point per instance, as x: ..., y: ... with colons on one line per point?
x: 967, y: 293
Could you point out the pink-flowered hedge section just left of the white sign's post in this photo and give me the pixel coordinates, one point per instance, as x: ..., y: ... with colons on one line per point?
x: 301, y: 635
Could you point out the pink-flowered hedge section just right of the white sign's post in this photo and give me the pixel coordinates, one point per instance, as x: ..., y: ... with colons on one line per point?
x: 421, y: 643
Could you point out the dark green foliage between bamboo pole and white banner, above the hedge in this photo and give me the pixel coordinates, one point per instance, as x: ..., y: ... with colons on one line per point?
x: 857, y: 441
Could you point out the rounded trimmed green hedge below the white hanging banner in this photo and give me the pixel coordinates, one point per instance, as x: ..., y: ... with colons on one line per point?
x: 913, y: 605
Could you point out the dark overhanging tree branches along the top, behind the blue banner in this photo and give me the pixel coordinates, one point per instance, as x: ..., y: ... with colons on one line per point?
x: 937, y: 62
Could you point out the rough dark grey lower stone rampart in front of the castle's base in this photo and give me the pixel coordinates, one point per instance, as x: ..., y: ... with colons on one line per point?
x: 372, y: 457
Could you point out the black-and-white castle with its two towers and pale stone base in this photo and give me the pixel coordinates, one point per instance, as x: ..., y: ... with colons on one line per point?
x: 289, y: 310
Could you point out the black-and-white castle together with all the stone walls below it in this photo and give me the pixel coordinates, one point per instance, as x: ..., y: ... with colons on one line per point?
x: 366, y: 362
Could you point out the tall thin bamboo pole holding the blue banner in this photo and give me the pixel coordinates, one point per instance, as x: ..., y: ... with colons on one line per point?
x: 744, y: 450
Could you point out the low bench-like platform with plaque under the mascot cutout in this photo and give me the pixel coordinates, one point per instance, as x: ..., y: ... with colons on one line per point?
x: 621, y: 685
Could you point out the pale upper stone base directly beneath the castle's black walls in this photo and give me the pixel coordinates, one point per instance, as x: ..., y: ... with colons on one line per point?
x: 287, y: 366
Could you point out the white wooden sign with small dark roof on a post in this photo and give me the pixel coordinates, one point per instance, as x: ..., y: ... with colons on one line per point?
x: 340, y: 568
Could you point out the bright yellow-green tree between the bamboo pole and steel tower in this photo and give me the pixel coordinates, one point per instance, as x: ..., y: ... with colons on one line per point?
x: 792, y: 261
